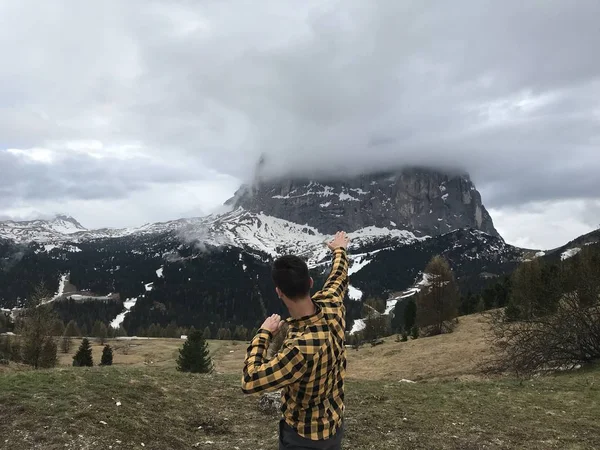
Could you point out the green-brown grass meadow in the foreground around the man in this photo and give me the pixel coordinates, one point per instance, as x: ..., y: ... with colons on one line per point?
x: 76, y: 408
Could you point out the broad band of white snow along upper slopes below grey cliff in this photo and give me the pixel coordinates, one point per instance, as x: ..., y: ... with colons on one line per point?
x: 238, y: 228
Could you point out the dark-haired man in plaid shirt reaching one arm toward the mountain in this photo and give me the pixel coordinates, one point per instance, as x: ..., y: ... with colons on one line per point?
x: 311, y: 366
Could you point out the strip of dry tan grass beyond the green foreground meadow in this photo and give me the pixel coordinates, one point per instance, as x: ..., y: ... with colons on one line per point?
x: 451, y: 356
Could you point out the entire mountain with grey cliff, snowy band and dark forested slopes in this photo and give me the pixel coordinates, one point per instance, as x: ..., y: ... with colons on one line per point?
x: 215, y: 271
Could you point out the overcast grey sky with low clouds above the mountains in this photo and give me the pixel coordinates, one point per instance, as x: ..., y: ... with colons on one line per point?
x: 126, y: 112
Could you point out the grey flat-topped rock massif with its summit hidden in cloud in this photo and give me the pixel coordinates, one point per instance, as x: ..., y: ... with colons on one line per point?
x: 423, y: 201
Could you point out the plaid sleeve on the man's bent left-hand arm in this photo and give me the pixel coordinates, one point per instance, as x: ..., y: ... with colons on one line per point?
x: 285, y: 368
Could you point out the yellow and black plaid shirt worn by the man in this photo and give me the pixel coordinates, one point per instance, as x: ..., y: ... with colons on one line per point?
x: 311, y: 366
